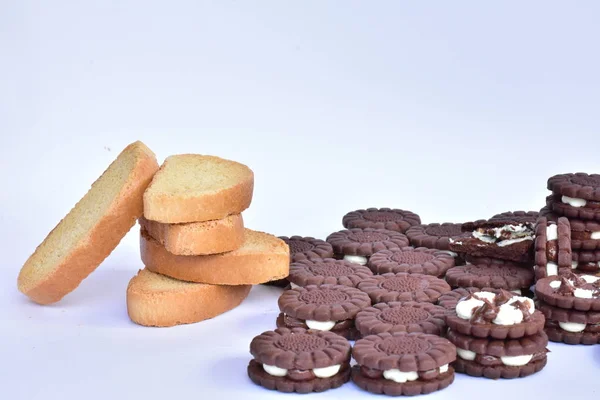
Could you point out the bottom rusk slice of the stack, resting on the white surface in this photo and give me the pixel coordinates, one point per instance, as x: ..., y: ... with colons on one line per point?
x: 157, y: 300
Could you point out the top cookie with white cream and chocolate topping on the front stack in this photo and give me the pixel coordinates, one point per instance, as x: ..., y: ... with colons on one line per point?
x: 499, y: 316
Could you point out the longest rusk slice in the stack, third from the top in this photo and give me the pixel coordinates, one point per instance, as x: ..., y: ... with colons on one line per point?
x: 261, y: 258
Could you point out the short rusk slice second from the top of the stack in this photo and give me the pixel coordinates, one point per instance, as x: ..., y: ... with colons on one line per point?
x: 197, y: 238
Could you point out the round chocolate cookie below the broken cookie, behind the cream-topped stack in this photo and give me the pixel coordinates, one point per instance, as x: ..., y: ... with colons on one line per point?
x: 488, y: 272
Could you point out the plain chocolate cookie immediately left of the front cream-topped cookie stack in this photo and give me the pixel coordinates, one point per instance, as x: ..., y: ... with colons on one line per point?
x: 407, y: 316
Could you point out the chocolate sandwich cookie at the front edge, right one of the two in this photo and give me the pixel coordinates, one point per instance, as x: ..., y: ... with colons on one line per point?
x: 403, y: 364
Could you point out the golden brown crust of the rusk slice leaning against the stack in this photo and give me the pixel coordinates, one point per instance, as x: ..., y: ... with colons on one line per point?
x: 100, y: 241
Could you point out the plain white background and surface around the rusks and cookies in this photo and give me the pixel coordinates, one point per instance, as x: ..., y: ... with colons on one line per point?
x: 455, y: 110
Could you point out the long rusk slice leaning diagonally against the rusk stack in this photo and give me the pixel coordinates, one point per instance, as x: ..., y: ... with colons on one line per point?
x: 92, y: 229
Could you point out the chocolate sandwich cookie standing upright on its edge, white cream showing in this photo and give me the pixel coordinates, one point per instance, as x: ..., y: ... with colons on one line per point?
x: 552, y: 254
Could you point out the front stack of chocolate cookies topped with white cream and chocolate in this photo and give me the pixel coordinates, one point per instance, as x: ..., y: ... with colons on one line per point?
x: 497, y: 333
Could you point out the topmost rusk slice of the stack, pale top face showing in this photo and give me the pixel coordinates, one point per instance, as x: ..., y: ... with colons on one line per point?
x: 197, y: 188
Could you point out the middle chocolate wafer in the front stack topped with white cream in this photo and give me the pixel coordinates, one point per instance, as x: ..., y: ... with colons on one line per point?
x: 528, y: 345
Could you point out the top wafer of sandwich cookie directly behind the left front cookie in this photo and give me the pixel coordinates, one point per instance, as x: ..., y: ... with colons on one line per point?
x: 323, y: 303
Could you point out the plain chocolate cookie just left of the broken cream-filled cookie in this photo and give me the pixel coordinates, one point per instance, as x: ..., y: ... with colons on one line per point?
x: 435, y: 236
